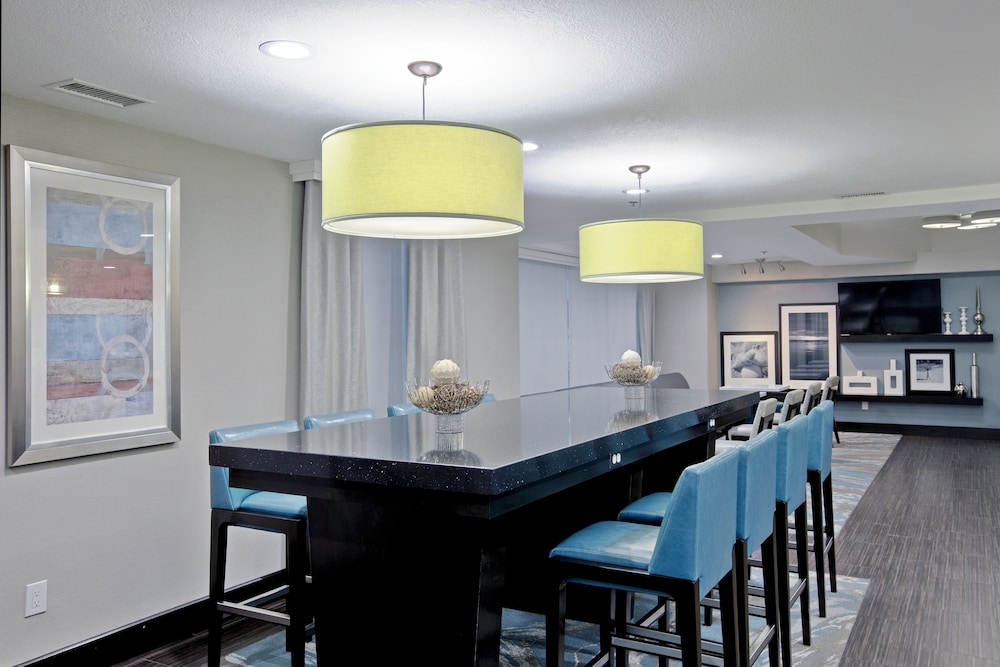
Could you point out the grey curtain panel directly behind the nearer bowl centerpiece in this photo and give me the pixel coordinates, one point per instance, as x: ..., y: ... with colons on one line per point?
x: 435, y: 321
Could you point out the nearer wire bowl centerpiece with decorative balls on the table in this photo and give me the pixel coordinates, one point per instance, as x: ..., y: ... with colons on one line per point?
x: 447, y: 395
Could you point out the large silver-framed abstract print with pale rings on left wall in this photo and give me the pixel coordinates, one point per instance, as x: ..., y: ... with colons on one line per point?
x: 93, y: 326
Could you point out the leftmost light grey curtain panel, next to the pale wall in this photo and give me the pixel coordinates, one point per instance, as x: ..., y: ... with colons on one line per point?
x: 333, y: 368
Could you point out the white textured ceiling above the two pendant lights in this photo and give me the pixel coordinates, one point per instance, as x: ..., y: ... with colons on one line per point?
x: 756, y: 116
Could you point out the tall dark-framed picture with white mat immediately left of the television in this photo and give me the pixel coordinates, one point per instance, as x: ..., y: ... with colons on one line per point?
x: 809, y: 344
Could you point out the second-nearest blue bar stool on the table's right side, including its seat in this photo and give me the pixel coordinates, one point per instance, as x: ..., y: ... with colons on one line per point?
x: 756, y: 483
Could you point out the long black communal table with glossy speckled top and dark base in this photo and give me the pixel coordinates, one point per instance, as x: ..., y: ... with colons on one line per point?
x: 419, y: 539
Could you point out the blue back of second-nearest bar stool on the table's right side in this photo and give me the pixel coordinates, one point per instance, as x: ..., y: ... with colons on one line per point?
x: 758, y: 477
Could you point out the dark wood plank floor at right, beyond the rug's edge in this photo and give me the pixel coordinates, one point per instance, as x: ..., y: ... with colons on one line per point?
x: 927, y: 536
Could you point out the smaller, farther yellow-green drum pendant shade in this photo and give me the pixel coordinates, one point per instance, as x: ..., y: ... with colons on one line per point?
x: 641, y: 251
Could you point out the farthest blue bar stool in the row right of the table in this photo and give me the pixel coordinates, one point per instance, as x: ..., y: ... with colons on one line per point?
x: 820, y: 481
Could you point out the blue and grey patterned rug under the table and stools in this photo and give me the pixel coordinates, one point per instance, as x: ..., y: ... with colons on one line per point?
x: 856, y: 461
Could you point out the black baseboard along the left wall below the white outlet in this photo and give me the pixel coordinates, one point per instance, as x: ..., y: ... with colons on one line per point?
x: 148, y: 634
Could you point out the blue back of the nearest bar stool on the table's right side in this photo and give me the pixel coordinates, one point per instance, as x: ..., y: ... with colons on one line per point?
x: 696, y: 537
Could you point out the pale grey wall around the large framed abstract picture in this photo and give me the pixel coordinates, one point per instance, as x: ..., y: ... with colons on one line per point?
x: 124, y: 536
